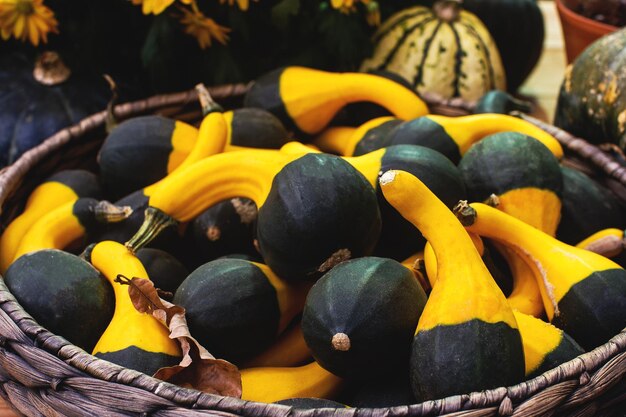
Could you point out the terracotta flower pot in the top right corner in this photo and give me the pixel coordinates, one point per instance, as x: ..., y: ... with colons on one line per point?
x: 579, y: 31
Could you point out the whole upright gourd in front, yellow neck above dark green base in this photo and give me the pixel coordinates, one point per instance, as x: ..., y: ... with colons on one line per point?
x: 467, y: 338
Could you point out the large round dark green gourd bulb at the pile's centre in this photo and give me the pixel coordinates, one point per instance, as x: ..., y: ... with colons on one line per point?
x: 323, y: 198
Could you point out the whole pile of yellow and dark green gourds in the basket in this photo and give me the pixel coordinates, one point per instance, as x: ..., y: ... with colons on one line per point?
x: 356, y: 269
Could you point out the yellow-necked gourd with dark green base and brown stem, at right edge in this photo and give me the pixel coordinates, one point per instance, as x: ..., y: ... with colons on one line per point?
x: 583, y: 293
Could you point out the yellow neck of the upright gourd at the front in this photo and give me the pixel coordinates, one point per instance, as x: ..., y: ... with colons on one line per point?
x: 465, y: 289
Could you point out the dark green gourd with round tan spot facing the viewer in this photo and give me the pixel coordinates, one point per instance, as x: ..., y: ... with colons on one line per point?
x: 360, y: 317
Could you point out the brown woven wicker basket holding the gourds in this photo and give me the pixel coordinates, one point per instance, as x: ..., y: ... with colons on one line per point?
x: 42, y: 374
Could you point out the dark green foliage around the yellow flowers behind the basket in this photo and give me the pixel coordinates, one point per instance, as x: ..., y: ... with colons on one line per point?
x: 150, y: 54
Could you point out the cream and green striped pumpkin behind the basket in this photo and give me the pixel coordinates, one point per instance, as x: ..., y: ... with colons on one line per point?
x: 444, y: 51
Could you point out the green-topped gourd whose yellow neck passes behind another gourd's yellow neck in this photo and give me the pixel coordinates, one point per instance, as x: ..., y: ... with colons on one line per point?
x: 526, y: 180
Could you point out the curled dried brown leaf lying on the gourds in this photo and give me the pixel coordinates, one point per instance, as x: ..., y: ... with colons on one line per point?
x: 198, y: 368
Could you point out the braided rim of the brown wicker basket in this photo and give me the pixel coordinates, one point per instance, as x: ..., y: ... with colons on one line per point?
x: 502, y: 398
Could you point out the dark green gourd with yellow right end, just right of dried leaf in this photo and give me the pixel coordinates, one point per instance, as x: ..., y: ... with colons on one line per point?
x: 236, y: 308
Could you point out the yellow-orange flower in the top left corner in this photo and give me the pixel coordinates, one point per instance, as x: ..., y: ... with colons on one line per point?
x: 26, y: 19
